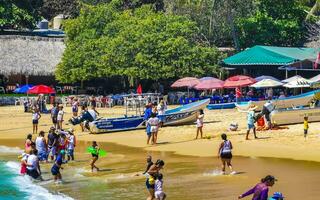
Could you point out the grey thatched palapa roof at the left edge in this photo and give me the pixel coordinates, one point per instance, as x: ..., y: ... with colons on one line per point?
x: 29, y: 55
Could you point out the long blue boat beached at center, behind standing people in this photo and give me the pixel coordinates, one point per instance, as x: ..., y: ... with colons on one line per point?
x: 181, y: 115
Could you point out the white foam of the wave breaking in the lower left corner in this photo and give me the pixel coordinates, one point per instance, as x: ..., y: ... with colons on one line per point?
x: 34, y: 191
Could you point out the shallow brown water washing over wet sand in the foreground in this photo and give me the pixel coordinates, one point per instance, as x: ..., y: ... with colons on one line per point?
x: 185, y: 177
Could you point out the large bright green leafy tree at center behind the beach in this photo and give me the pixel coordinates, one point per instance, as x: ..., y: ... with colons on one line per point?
x: 140, y: 43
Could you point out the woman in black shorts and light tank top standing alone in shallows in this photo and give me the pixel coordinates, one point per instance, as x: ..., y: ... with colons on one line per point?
x: 225, y: 153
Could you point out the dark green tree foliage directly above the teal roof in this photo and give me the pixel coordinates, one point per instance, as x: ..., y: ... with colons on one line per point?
x: 274, y: 23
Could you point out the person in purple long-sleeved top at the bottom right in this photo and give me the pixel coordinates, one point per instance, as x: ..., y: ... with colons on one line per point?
x: 260, y: 191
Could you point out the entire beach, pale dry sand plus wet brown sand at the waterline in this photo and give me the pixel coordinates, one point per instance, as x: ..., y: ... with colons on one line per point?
x: 189, y: 162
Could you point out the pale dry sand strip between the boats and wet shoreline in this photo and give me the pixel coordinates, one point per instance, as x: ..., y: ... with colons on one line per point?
x: 287, y: 142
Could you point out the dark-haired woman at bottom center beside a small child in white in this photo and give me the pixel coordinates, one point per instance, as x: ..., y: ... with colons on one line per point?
x: 152, y: 173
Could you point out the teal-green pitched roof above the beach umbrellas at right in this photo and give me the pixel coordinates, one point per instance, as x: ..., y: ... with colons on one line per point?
x: 270, y: 55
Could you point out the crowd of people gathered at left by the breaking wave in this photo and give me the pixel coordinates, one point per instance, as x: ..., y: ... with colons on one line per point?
x: 43, y: 149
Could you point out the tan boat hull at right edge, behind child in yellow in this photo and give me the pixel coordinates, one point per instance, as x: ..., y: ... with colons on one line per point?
x: 294, y: 116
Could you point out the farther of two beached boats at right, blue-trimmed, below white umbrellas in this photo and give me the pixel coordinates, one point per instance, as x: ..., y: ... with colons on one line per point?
x: 287, y: 102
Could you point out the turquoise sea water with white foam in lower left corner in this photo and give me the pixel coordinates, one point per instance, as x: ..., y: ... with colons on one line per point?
x: 14, y: 186
